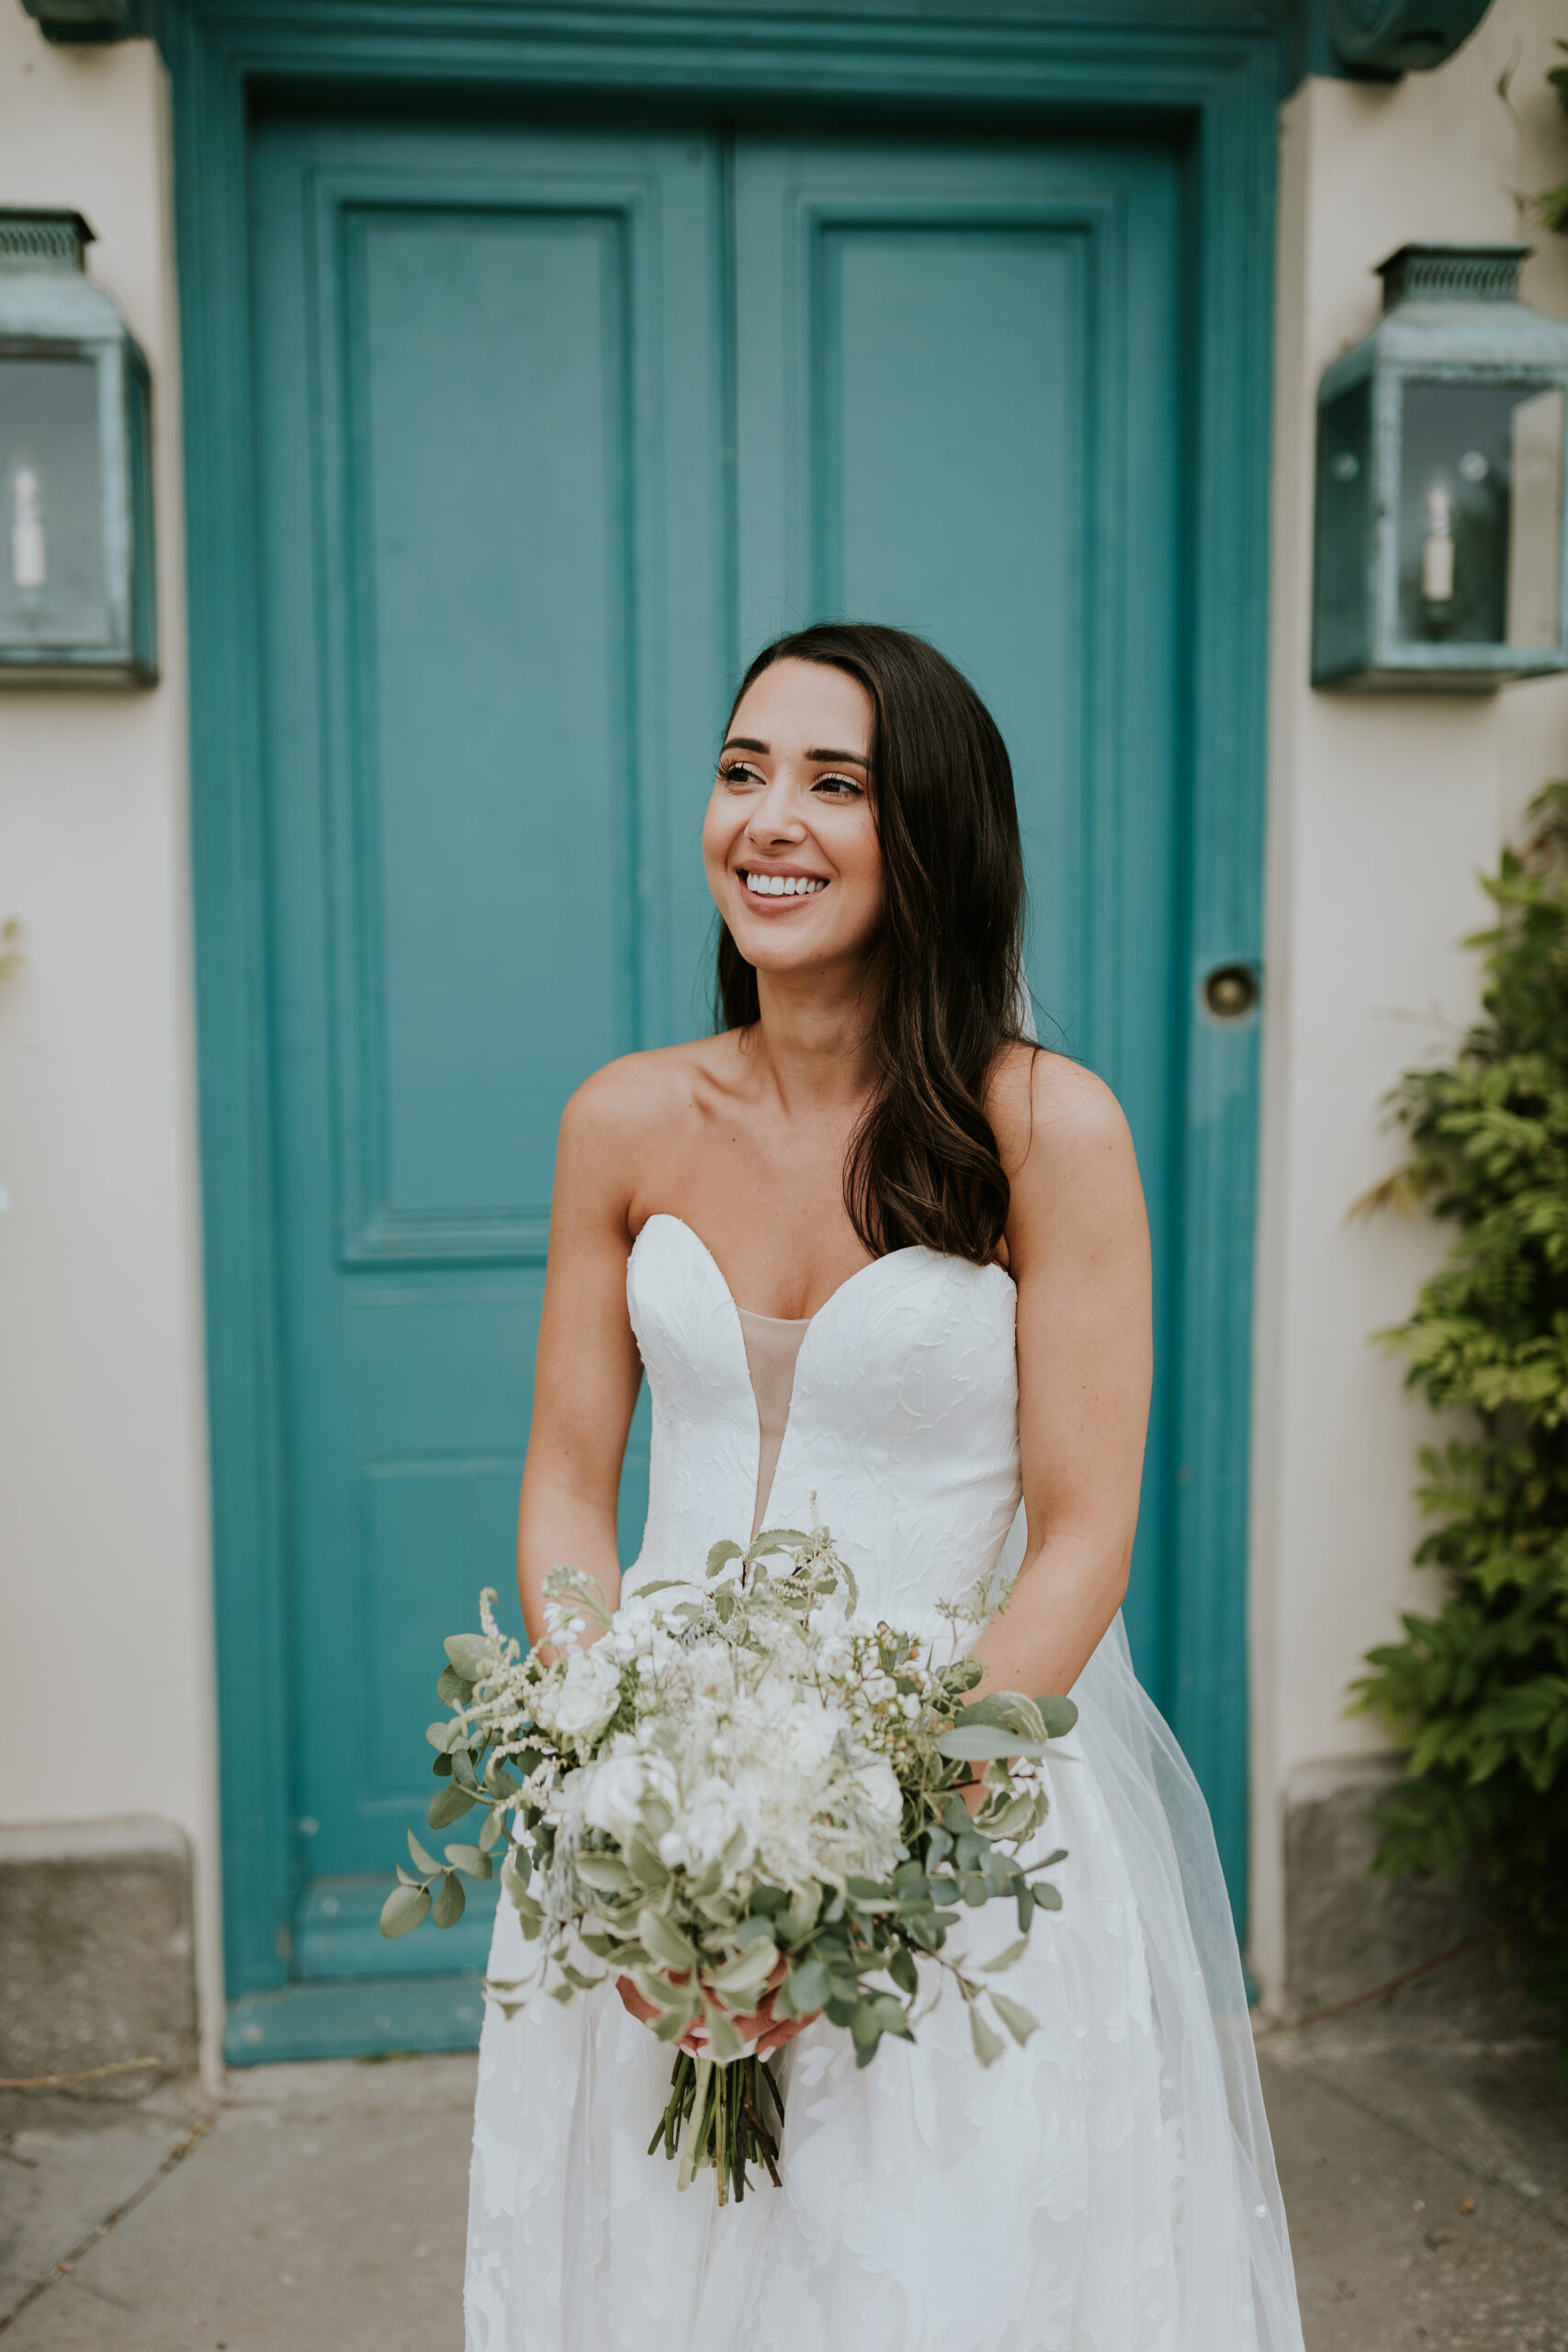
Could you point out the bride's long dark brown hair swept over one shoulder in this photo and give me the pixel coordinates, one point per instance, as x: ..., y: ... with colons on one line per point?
x: 949, y: 961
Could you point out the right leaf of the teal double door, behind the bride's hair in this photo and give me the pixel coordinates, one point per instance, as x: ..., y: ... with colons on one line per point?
x: 960, y: 413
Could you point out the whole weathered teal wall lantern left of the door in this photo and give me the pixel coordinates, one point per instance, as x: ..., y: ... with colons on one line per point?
x: 76, y: 514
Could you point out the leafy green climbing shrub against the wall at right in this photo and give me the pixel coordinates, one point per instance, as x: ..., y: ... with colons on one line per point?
x: 1477, y: 1692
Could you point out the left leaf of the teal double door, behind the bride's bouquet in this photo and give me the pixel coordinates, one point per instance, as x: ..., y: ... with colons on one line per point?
x: 488, y: 375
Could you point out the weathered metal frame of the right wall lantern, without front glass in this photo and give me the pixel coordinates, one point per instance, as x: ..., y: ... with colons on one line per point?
x: 1452, y: 319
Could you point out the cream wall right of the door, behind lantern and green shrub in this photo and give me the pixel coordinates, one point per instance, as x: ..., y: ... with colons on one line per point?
x: 1381, y: 817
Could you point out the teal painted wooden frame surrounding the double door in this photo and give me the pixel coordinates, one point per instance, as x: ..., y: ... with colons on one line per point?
x: 1207, y: 74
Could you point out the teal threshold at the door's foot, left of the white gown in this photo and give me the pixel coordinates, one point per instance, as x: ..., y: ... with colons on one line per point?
x: 363, y: 2017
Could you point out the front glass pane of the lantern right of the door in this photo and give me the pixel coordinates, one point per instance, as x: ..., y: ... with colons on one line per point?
x: 1480, y: 514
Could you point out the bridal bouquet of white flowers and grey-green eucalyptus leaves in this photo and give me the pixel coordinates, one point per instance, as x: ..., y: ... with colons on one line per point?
x: 749, y: 1800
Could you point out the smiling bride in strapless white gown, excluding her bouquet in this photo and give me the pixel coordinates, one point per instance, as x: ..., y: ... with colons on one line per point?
x: 876, y: 1248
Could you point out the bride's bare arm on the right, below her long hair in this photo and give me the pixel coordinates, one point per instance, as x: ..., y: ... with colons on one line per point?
x: 1080, y: 1257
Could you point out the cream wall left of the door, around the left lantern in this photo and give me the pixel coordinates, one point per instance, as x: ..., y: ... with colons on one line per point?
x: 105, y: 1575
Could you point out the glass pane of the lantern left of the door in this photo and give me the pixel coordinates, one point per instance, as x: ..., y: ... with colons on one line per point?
x: 53, y: 587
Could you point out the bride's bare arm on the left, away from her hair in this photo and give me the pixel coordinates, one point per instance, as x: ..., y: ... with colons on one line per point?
x: 587, y: 1370
